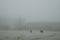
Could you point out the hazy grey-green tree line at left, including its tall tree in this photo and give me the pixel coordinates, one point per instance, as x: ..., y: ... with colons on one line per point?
x: 4, y: 25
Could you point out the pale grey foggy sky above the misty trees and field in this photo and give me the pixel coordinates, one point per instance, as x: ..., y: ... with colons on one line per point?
x: 31, y: 10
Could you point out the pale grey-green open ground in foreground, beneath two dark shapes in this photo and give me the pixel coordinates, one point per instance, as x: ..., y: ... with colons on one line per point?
x: 26, y: 35
